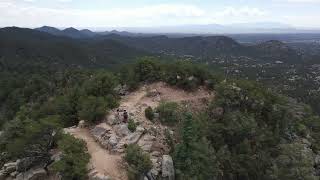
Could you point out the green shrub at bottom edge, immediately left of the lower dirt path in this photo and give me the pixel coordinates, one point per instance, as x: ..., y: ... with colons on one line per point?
x: 73, y: 164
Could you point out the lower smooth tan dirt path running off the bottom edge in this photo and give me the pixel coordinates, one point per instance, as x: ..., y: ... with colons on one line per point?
x: 102, y: 161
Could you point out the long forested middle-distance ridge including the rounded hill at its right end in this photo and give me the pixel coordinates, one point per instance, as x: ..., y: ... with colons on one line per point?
x: 209, y: 47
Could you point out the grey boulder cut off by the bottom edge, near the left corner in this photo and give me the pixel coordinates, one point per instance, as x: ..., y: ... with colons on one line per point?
x: 33, y: 174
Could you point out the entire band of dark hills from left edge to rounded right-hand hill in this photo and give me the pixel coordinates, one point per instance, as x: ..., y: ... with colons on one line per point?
x: 64, y: 47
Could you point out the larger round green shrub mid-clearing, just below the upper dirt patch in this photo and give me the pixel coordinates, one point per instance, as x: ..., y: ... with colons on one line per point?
x: 168, y: 112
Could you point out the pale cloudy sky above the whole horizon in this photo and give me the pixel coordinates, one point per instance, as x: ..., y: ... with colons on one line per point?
x: 153, y: 13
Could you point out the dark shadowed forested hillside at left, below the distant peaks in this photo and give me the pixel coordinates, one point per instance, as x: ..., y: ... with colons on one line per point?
x: 20, y: 45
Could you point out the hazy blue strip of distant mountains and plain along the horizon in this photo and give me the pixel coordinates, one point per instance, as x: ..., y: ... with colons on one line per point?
x: 282, y: 34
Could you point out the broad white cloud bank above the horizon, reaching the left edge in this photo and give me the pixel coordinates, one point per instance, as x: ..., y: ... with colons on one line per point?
x: 19, y: 14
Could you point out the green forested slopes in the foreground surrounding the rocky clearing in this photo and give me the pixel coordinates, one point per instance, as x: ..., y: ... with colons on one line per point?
x: 246, y: 131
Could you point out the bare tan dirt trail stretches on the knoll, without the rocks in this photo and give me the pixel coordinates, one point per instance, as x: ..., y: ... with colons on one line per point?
x: 135, y: 103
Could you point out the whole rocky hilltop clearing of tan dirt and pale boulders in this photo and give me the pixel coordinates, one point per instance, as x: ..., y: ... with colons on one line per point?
x: 106, y: 141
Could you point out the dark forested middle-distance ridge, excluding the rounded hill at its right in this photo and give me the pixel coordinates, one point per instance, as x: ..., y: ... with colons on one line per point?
x: 197, y: 46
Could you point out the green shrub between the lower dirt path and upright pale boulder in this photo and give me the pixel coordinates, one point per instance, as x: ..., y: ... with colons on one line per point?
x: 139, y: 162
